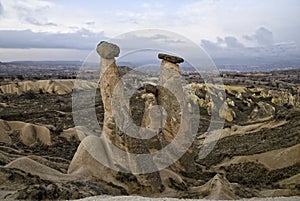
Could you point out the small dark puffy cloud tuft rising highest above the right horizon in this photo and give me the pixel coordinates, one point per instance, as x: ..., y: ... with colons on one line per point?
x: 262, y: 37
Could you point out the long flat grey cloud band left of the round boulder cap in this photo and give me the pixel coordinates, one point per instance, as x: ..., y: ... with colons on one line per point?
x: 82, y: 39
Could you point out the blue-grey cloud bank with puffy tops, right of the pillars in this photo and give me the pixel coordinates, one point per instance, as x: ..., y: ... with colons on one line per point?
x: 264, y: 48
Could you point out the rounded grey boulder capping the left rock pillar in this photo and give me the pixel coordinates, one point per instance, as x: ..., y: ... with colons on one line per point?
x: 108, y: 50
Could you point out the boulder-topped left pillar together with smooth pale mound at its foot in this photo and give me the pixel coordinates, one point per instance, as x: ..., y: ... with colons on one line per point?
x: 114, y: 130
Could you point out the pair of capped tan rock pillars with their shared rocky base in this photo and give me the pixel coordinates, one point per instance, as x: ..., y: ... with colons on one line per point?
x: 166, y: 113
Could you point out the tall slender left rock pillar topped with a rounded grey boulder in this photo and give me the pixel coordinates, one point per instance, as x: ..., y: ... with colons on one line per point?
x: 109, y: 78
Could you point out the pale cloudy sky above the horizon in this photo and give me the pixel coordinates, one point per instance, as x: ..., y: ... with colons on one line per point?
x: 70, y: 30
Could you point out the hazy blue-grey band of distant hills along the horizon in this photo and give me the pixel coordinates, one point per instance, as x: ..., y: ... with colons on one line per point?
x: 223, y: 65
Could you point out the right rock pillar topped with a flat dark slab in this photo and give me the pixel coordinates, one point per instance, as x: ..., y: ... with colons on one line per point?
x: 172, y: 98
